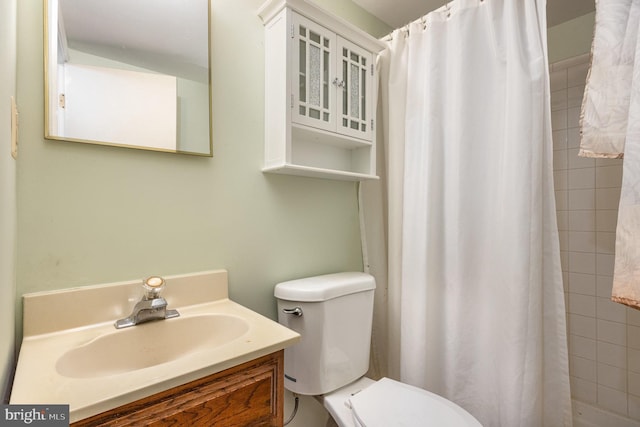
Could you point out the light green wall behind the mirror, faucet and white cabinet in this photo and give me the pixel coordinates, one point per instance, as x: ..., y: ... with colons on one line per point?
x: 91, y: 214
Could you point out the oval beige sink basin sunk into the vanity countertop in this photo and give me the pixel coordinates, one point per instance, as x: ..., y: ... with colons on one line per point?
x: 150, y: 344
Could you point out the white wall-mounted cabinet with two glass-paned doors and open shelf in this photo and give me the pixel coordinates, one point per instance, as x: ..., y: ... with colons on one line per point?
x: 320, y: 93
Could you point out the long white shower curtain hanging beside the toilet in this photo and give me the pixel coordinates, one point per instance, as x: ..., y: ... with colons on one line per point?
x: 475, y: 300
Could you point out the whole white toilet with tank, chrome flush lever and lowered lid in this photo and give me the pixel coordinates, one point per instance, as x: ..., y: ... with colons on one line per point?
x: 333, y: 314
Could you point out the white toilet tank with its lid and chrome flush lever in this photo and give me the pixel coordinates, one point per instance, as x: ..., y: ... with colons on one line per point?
x: 335, y: 328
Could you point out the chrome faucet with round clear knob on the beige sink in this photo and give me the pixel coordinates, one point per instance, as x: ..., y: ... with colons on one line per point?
x: 151, y: 307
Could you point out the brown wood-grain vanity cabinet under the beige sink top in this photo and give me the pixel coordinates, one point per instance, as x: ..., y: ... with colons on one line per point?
x: 250, y: 394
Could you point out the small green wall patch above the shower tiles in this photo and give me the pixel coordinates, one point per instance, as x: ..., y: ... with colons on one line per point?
x: 571, y: 38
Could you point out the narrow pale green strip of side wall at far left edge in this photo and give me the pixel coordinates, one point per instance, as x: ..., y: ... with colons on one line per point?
x: 7, y: 195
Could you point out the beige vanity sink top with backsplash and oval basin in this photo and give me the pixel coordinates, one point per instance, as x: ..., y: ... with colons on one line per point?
x: 77, y: 357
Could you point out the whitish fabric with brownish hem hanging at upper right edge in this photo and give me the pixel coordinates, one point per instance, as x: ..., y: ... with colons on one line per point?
x: 611, y: 127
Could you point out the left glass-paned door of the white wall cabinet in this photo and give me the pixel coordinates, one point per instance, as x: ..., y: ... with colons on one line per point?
x: 314, y: 62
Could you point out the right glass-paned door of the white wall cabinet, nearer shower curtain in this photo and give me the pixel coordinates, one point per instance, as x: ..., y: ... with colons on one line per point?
x: 355, y: 71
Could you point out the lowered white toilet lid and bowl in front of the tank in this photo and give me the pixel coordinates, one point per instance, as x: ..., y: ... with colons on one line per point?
x: 387, y: 402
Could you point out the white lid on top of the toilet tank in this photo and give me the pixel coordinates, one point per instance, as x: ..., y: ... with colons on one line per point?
x: 325, y: 287
